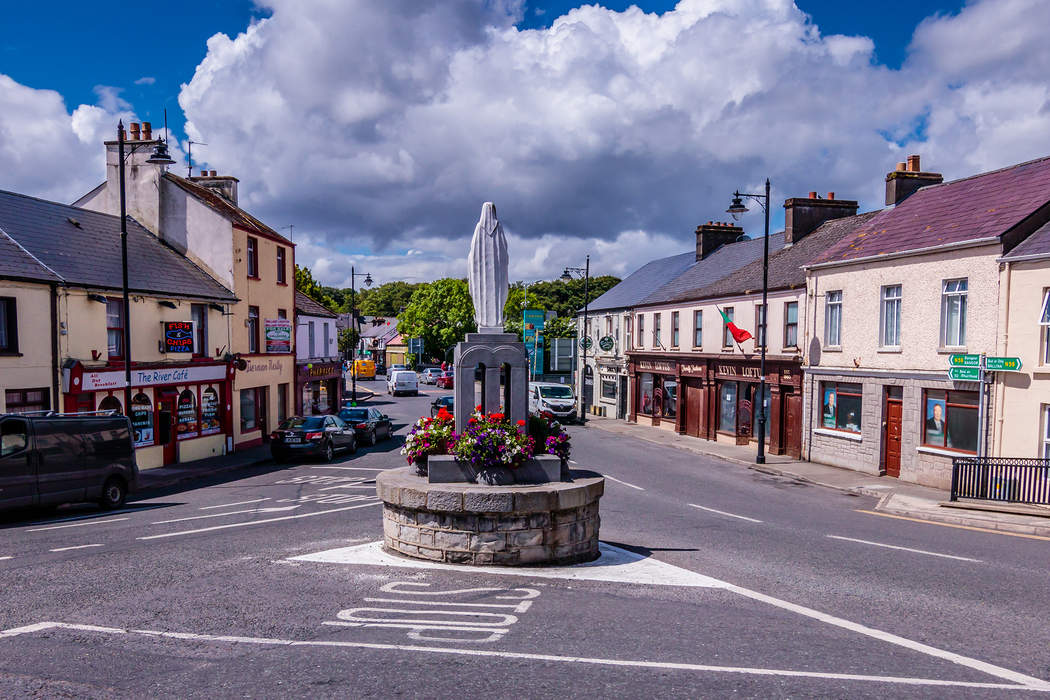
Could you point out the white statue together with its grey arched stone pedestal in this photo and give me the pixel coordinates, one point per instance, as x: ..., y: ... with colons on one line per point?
x: 491, y: 350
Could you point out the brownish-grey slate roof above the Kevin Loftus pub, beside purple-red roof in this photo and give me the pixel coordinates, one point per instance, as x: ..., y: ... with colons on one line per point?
x: 787, y: 265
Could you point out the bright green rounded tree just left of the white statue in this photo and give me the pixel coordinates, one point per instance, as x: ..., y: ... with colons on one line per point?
x: 440, y: 313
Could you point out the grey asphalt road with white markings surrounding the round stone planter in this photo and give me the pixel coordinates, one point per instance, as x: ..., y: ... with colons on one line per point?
x: 764, y: 588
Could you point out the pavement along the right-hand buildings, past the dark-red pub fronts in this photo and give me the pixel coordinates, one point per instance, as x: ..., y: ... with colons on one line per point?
x: 896, y: 498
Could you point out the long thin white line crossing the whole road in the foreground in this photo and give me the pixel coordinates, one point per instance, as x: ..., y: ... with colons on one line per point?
x: 1036, y: 686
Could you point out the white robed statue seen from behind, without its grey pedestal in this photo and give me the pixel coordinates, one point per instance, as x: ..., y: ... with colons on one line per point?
x: 488, y: 271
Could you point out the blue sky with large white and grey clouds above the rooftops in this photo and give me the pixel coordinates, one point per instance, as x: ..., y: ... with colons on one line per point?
x: 380, y: 129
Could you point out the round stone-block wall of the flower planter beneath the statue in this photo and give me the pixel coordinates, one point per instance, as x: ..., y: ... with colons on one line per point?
x: 556, y: 523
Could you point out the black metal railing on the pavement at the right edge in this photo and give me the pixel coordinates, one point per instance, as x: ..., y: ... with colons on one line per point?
x: 1014, y: 480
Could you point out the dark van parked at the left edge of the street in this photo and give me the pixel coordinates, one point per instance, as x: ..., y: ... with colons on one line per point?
x: 51, y: 459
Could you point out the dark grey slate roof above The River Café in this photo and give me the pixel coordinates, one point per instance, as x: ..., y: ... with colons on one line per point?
x: 82, y: 248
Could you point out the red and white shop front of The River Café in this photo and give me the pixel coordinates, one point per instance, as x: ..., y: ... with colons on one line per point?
x: 179, y: 413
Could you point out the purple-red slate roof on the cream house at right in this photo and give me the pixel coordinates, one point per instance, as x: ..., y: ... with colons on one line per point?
x: 983, y: 206
